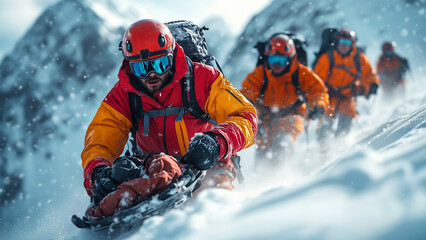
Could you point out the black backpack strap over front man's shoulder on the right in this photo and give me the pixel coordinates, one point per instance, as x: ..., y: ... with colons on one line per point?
x: 188, y: 95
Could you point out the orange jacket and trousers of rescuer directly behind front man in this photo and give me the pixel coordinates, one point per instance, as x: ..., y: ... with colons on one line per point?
x: 280, y: 93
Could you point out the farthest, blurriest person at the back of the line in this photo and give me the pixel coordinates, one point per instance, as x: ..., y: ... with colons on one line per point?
x: 391, y: 69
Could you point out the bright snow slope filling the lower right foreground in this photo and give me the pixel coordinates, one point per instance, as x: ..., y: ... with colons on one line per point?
x: 372, y: 189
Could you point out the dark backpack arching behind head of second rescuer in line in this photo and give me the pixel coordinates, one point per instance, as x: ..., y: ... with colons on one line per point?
x: 299, y: 43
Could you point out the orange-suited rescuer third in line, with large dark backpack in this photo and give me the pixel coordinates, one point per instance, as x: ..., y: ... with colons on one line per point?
x: 347, y: 74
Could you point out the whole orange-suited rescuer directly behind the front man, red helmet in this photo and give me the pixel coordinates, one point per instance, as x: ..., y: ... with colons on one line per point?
x: 282, y: 90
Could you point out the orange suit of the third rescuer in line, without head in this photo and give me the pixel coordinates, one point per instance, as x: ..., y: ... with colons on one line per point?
x: 343, y: 78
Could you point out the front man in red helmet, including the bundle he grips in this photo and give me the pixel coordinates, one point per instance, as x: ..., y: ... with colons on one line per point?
x: 156, y: 70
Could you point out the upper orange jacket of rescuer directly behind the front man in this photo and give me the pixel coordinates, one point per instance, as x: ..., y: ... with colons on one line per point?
x: 280, y: 91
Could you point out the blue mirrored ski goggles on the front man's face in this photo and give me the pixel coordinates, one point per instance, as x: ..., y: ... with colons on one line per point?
x: 158, y: 65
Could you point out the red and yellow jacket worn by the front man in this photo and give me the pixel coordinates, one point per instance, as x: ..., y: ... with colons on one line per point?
x: 108, y: 133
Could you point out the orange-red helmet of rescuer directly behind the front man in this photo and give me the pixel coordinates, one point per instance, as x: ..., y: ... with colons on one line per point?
x: 280, y: 44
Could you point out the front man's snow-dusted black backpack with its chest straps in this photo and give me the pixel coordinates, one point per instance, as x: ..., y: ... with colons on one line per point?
x: 191, y: 38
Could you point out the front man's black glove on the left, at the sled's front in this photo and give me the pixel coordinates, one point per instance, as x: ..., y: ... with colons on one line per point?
x: 102, y: 183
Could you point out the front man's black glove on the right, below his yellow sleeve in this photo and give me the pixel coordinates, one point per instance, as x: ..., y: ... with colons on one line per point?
x: 203, y: 151
